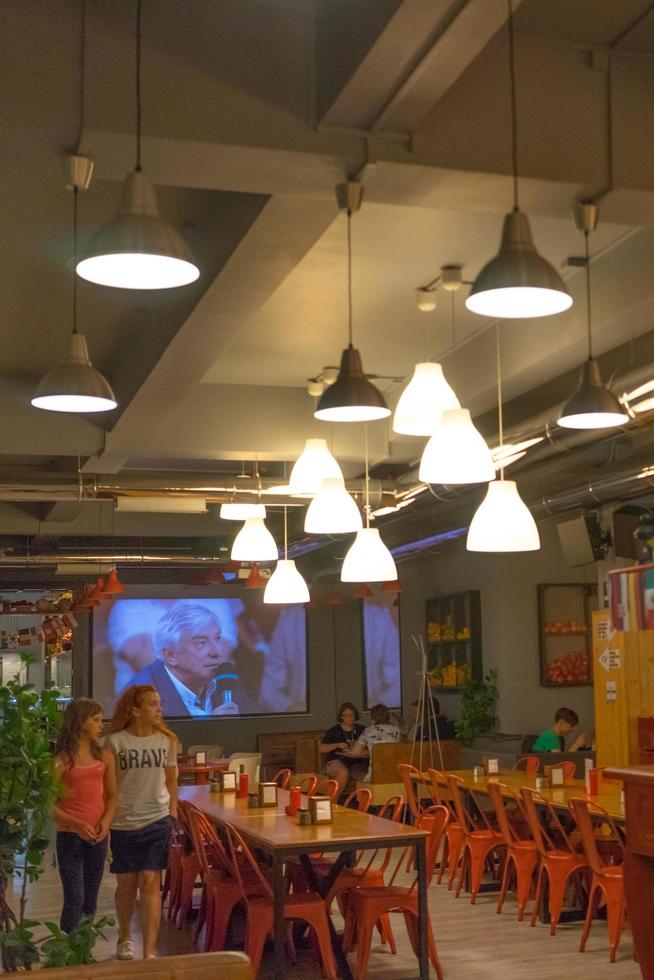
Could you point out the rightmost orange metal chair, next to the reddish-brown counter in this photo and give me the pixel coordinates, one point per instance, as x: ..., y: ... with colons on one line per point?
x: 608, y: 879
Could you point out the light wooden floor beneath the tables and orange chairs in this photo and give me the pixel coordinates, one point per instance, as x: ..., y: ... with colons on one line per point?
x: 474, y: 943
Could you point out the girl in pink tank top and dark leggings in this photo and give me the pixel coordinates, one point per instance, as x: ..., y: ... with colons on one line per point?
x: 85, y: 808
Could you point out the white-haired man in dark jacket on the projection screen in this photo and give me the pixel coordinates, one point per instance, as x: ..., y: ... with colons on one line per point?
x: 190, y: 672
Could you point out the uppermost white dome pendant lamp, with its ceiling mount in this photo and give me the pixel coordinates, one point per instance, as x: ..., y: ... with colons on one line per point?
x: 427, y: 394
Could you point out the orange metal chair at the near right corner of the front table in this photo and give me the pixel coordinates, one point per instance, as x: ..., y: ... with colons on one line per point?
x: 368, y: 905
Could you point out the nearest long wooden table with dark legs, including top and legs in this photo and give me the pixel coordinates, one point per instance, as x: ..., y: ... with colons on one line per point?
x: 279, y: 836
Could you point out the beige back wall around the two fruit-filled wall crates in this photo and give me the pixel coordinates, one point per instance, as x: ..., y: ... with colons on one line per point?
x: 509, y: 625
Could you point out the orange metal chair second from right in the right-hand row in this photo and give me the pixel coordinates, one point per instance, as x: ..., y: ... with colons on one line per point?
x: 560, y: 860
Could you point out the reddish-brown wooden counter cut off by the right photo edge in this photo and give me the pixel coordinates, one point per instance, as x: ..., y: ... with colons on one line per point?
x: 639, y: 860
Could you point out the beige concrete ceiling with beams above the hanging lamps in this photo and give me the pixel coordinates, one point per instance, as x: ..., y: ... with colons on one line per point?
x: 252, y: 112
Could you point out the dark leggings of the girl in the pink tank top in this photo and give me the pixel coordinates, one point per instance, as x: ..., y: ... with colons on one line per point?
x: 81, y: 866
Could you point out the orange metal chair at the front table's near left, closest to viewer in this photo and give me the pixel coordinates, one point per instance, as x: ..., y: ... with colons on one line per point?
x: 306, y: 906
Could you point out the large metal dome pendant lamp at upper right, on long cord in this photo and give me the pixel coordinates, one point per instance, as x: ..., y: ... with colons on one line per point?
x: 518, y: 282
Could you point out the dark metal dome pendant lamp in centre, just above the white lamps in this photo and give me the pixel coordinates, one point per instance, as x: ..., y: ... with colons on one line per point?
x: 352, y: 397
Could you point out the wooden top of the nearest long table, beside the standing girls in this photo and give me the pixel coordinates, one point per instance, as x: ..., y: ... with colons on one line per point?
x: 272, y: 829
